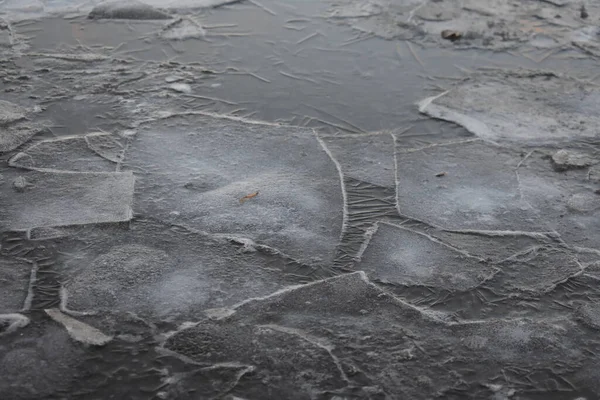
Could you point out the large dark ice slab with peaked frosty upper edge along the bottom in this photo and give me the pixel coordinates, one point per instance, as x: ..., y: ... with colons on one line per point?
x: 337, y: 327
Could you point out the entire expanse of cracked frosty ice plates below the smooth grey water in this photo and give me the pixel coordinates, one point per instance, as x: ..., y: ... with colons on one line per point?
x: 182, y: 253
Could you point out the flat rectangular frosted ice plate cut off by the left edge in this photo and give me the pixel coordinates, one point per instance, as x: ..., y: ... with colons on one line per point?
x: 45, y: 199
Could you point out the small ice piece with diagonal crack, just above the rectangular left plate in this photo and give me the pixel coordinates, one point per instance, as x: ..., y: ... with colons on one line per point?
x: 96, y: 152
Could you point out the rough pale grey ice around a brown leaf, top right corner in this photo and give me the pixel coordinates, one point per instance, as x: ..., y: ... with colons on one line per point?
x: 496, y: 24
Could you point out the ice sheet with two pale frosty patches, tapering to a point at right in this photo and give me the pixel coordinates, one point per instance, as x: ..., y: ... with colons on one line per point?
x: 161, y: 271
